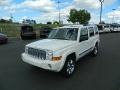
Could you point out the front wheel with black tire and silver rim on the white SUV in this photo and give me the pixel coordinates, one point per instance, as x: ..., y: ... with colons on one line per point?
x: 69, y: 67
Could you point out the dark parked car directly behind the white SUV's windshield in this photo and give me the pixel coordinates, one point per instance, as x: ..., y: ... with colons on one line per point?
x: 44, y: 31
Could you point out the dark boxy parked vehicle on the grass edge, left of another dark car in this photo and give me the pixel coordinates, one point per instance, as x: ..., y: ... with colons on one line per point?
x: 27, y: 32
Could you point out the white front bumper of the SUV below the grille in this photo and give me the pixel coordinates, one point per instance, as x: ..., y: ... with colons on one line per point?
x: 45, y: 64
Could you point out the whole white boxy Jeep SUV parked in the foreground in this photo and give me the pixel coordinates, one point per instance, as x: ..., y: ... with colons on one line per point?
x: 63, y: 47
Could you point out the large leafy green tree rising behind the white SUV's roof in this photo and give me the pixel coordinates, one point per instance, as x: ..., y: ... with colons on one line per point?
x: 81, y: 16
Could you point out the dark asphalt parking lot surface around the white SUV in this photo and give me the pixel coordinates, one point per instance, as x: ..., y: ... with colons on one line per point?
x: 93, y: 73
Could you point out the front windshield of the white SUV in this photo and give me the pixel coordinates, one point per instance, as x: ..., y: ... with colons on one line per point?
x: 64, y: 34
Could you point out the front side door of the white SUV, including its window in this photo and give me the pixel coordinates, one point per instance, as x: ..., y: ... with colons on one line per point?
x: 83, y: 42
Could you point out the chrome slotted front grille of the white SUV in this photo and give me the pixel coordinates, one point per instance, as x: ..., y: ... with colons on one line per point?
x: 37, y: 53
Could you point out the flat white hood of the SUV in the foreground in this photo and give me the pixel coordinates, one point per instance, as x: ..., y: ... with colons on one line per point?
x: 51, y: 44
